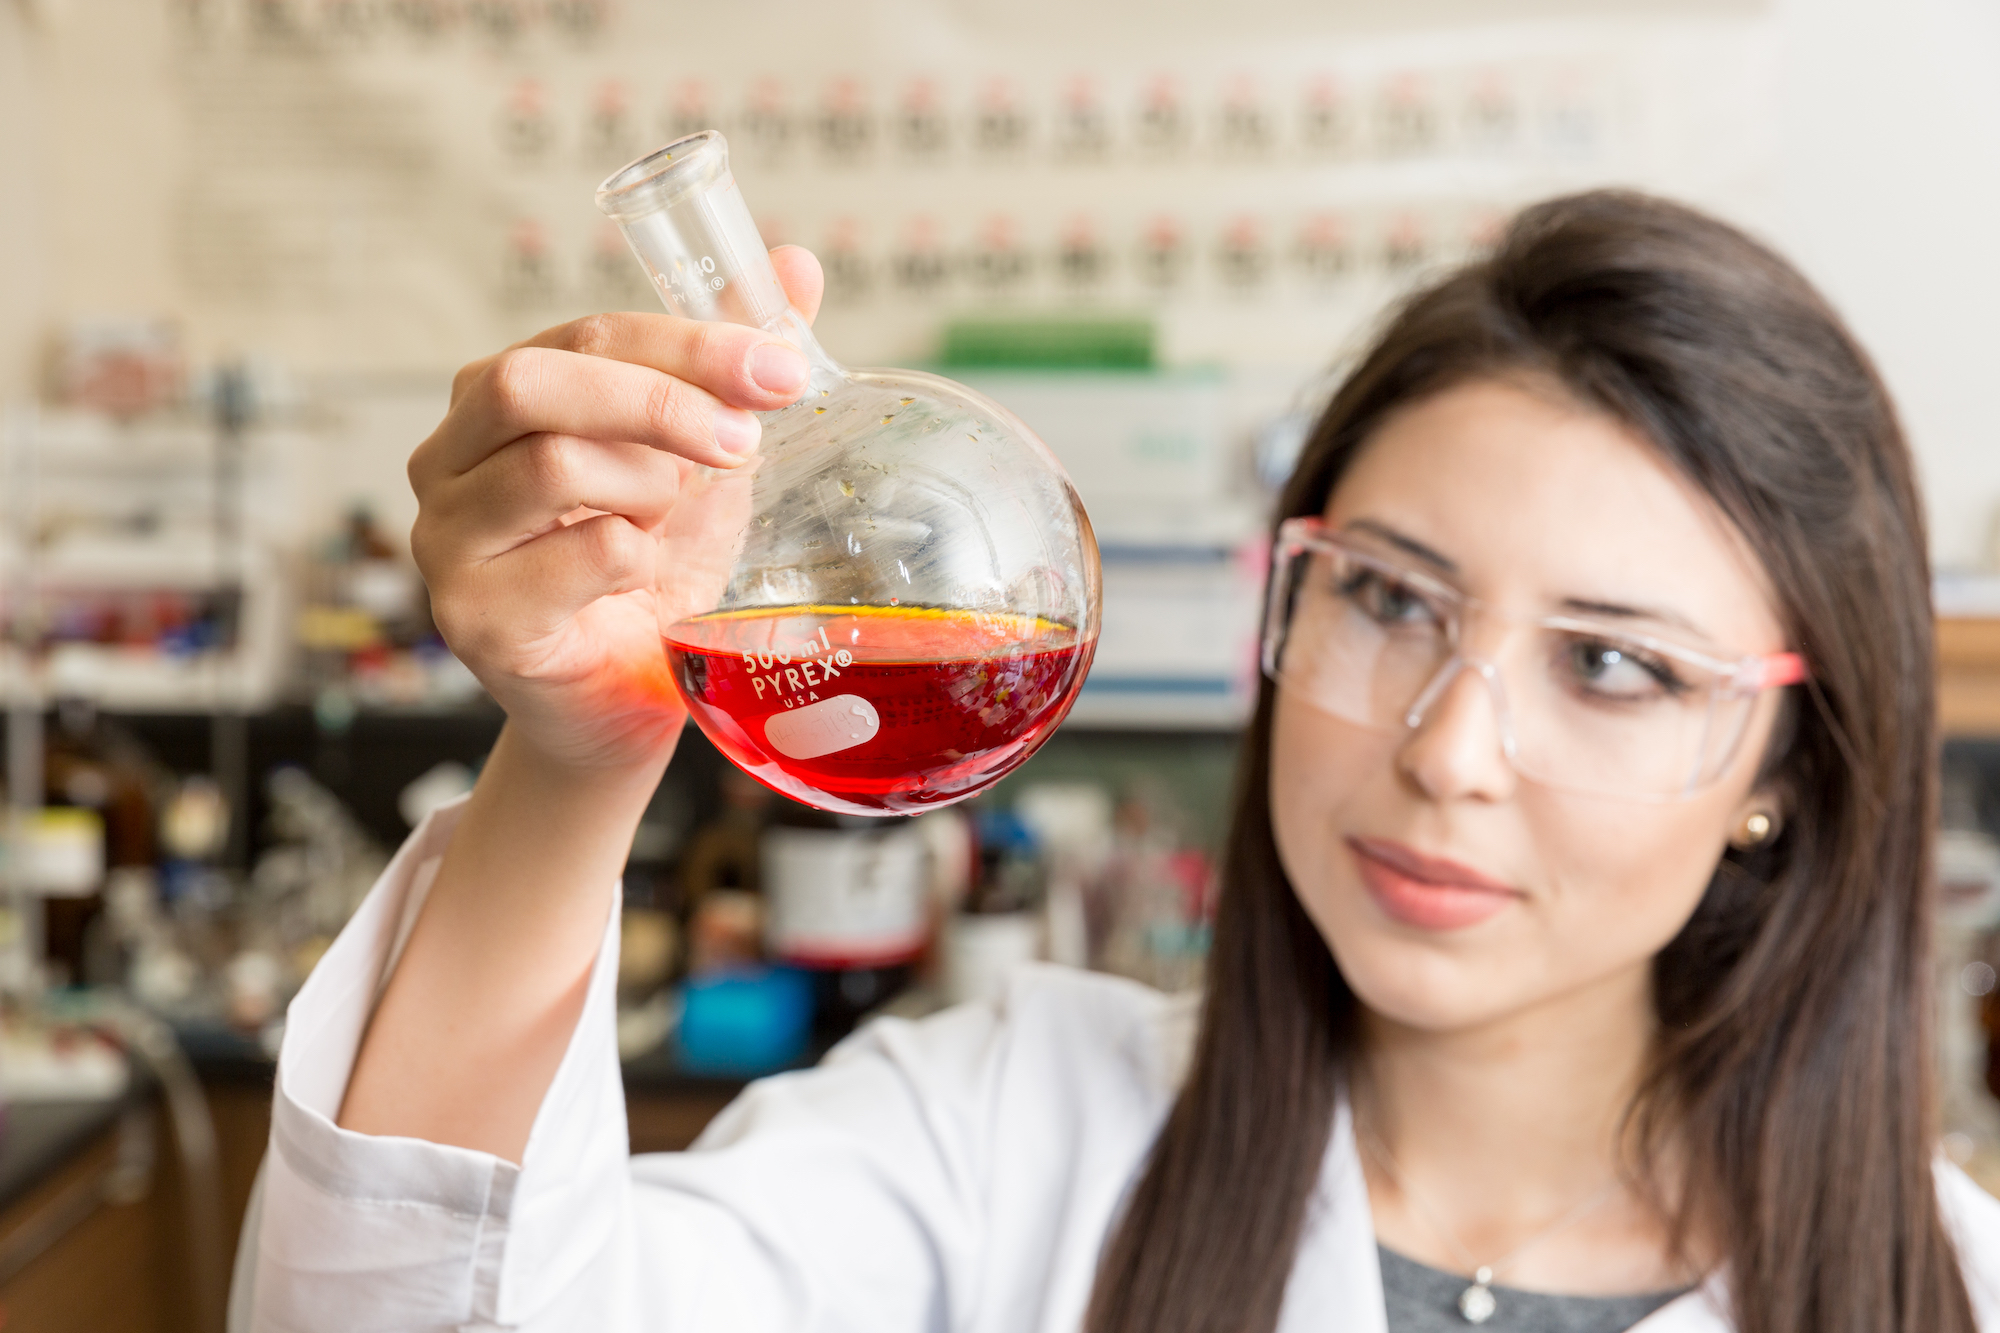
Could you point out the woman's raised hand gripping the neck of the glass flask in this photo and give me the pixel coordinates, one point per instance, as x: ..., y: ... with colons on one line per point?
x: 543, y: 491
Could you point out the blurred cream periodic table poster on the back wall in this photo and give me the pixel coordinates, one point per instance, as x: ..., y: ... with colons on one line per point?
x: 401, y: 185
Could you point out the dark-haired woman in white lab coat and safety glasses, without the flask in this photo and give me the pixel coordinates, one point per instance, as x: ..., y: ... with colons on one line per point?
x: 1571, y: 968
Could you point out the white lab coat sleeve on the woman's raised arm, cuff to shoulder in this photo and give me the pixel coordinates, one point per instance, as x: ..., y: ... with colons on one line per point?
x: 841, y: 1198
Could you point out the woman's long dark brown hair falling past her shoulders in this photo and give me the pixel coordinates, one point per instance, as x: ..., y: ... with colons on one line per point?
x: 1793, y: 1066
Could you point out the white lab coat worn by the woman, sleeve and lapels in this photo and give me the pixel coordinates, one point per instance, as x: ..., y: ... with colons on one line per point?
x: 949, y: 1174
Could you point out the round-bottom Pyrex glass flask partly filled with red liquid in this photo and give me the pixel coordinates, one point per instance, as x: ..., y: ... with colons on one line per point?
x: 897, y: 601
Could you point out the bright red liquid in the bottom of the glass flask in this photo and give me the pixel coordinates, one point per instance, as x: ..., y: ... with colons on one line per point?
x: 877, y: 710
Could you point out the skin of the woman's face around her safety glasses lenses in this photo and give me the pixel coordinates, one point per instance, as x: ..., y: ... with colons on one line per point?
x: 1537, y: 505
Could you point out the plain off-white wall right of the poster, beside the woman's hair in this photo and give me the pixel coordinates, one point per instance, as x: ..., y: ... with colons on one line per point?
x: 1891, y: 199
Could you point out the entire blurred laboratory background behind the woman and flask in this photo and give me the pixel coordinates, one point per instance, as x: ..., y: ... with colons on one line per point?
x: 1155, y: 231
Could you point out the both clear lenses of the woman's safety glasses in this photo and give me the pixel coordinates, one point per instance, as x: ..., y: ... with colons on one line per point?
x: 1585, y: 710
